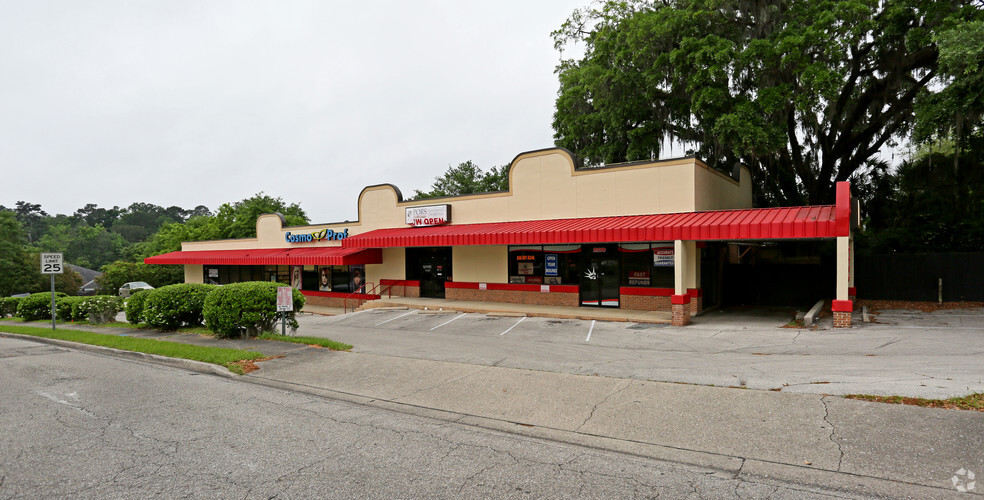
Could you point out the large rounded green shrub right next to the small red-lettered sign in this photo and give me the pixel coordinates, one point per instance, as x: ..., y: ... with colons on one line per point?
x: 249, y: 307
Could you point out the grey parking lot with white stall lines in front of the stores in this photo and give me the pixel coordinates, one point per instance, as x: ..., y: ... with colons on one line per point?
x: 906, y: 353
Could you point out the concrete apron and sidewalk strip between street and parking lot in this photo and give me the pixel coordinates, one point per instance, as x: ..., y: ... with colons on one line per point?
x: 855, y: 447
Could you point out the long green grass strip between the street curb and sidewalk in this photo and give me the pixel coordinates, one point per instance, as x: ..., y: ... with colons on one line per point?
x: 216, y: 355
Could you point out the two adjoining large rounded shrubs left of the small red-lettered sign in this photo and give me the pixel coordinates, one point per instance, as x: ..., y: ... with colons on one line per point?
x: 248, y: 308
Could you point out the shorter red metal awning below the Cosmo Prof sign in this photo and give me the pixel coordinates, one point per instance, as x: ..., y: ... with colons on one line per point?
x: 321, y: 256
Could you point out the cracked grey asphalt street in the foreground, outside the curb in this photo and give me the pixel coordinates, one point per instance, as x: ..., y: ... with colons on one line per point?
x: 83, y: 425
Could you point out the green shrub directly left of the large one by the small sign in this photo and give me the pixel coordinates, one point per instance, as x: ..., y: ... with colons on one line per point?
x: 171, y: 306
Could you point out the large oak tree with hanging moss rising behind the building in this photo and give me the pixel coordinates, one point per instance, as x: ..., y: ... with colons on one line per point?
x: 804, y: 92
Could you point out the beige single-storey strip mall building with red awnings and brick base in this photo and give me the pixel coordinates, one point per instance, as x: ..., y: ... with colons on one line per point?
x: 645, y: 236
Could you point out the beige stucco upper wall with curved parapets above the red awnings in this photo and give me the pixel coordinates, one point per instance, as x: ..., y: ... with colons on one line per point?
x: 542, y: 185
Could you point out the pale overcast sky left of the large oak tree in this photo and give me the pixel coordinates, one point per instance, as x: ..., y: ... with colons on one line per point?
x: 196, y: 102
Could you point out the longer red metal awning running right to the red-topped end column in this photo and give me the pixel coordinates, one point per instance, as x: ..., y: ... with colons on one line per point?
x: 816, y: 221
